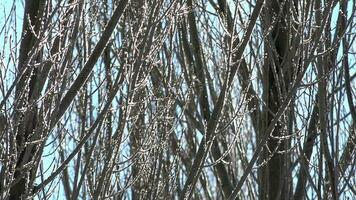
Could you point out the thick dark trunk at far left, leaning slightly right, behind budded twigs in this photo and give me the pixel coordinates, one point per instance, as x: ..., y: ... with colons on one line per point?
x: 27, y: 93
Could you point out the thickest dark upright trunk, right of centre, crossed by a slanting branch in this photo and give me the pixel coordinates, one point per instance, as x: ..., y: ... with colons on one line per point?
x: 274, y: 173
